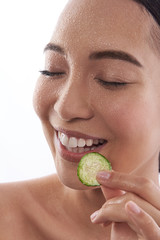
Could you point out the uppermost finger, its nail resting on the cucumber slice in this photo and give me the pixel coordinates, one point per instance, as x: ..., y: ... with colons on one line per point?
x: 142, y: 186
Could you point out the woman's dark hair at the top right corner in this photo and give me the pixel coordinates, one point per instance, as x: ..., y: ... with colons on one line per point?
x: 153, y: 8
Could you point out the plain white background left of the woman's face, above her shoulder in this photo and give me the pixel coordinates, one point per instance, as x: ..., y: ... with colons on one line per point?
x: 25, y: 28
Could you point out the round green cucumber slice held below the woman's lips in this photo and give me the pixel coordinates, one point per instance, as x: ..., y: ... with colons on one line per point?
x: 88, y: 167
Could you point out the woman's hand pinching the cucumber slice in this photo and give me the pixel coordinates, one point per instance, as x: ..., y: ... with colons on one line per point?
x: 138, y: 206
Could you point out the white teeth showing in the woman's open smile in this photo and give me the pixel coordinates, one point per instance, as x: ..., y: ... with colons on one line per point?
x: 79, y: 145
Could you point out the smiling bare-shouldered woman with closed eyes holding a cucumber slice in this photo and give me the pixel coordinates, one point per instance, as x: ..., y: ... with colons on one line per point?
x: 99, y: 92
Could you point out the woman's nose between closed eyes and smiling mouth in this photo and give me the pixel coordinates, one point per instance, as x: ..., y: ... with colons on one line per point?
x: 74, y: 102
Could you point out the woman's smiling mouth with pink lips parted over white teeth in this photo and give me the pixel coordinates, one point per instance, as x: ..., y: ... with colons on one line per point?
x: 72, y: 145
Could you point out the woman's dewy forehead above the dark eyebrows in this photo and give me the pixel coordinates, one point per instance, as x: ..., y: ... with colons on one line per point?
x: 102, y: 24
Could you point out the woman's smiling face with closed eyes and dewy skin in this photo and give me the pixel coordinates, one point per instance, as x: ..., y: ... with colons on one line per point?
x: 101, y: 88
